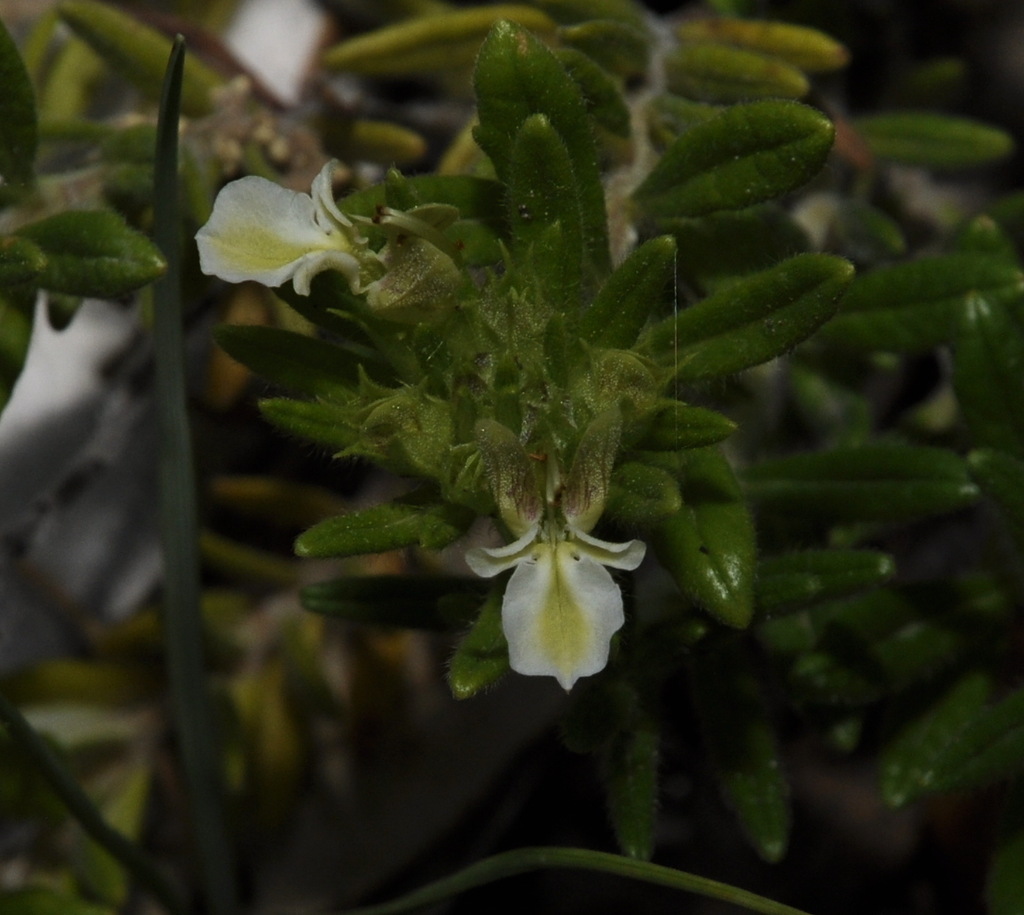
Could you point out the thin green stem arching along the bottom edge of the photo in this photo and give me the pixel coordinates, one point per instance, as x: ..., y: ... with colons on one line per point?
x: 522, y: 861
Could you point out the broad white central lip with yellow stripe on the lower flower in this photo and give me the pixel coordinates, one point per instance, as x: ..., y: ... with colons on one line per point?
x: 560, y: 615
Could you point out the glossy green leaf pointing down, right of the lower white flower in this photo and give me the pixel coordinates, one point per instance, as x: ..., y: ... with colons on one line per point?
x: 709, y: 548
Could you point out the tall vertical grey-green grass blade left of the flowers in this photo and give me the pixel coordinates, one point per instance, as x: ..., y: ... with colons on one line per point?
x: 180, y: 529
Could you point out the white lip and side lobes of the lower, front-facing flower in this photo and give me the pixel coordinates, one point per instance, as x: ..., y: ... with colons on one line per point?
x: 562, y: 606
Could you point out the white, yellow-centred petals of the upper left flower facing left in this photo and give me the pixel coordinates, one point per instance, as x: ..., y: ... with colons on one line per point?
x: 263, y: 232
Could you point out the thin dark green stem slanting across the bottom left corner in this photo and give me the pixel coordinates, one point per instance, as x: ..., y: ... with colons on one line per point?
x: 50, y: 766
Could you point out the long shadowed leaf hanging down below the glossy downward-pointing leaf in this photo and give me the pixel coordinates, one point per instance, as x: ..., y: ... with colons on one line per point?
x: 741, y: 743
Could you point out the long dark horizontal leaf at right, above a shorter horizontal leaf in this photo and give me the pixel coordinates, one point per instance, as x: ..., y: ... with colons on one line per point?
x: 878, y: 483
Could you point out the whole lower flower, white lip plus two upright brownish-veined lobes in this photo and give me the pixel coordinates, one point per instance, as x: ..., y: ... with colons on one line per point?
x: 562, y: 606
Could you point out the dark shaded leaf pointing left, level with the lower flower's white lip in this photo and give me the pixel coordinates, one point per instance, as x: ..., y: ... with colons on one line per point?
x: 405, y: 601
